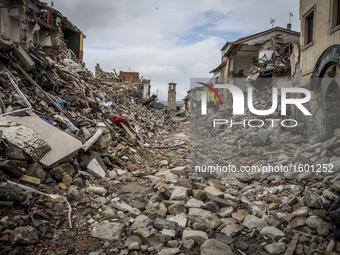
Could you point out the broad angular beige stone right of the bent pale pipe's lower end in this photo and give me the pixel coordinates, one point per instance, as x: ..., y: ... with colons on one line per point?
x: 108, y: 231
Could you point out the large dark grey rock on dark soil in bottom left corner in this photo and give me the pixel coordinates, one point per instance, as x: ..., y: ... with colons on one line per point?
x: 24, y: 235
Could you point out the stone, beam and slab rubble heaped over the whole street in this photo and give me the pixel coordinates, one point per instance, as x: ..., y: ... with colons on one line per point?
x: 124, y: 168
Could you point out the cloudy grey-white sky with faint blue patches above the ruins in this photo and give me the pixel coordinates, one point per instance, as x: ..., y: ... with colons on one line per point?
x: 169, y: 41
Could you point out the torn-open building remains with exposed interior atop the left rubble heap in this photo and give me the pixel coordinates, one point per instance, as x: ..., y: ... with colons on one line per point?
x: 32, y: 23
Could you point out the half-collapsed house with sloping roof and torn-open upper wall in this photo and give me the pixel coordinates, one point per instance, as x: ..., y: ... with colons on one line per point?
x: 266, y: 53
